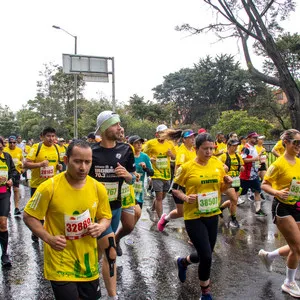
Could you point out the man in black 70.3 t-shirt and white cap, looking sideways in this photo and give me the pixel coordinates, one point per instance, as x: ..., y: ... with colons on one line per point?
x: 112, y: 164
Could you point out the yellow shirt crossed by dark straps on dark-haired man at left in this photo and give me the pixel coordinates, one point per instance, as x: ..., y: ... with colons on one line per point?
x: 39, y: 175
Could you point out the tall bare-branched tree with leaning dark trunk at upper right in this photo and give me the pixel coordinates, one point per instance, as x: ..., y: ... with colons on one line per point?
x: 256, y: 20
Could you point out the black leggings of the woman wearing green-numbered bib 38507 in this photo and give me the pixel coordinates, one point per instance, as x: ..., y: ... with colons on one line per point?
x: 203, y: 233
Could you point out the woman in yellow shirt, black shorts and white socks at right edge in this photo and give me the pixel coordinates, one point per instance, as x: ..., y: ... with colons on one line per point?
x: 282, y: 180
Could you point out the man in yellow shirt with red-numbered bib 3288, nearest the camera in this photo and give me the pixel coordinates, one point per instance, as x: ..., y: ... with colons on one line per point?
x: 76, y: 211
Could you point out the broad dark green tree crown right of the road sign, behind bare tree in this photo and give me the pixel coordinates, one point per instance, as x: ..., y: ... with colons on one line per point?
x: 199, y: 95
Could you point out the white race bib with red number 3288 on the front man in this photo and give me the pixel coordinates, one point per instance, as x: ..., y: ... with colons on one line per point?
x: 76, y: 226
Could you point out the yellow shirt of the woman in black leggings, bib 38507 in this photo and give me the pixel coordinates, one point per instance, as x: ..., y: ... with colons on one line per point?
x: 206, y: 182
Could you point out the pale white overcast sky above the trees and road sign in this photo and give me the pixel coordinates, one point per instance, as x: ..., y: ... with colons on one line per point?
x: 139, y: 34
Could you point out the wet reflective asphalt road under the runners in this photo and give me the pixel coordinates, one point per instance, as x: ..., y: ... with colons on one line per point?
x: 147, y: 269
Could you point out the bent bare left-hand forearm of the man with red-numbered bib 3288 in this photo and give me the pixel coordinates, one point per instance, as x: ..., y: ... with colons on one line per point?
x: 57, y: 242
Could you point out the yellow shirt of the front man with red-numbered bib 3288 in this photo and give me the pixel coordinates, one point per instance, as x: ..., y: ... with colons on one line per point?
x: 67, y: 212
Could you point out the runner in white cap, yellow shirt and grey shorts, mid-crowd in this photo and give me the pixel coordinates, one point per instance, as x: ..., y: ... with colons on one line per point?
x: 160, y: 151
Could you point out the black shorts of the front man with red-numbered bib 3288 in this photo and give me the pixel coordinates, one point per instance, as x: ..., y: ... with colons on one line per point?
x: 67, y: 290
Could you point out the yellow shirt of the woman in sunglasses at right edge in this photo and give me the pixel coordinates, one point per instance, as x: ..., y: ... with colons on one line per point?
x: 281, y: 174
